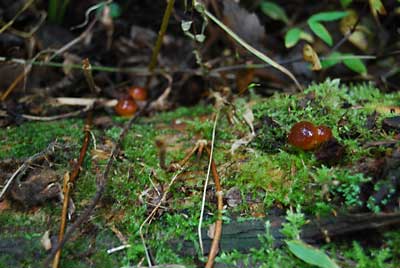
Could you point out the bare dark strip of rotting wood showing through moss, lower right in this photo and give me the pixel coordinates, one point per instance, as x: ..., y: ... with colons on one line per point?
x: 242, y: 236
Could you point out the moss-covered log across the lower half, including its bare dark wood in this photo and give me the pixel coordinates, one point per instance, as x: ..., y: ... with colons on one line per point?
x: 264, y: 179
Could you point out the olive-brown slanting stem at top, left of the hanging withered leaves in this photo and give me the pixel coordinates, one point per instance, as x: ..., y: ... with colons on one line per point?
x: 160, y: 37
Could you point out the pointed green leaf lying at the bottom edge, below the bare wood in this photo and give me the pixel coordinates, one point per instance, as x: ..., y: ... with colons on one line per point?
x: 310, y: 254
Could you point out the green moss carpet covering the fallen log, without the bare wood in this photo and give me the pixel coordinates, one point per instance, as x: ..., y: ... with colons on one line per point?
x: 268, y: 172
